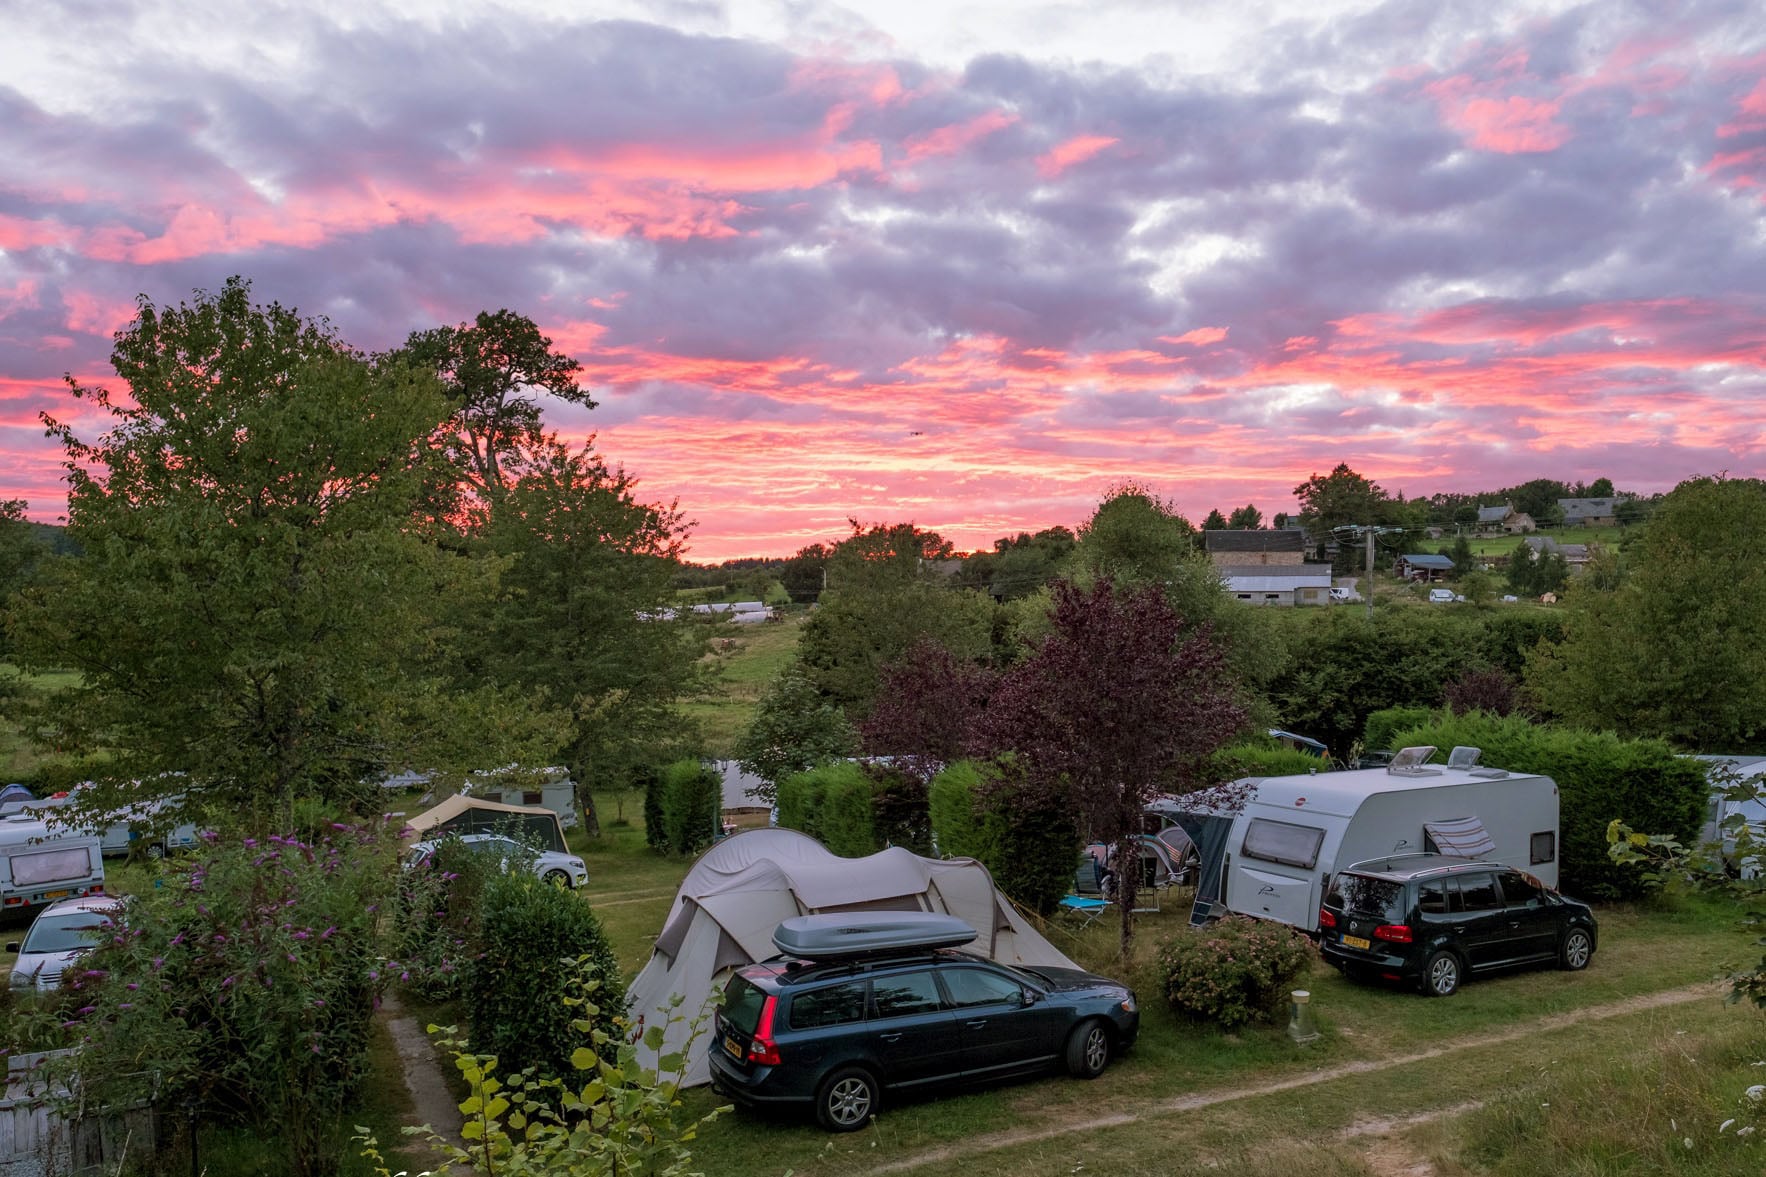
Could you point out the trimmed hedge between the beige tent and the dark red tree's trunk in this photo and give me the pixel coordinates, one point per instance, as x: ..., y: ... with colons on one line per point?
x: 1032, y: 849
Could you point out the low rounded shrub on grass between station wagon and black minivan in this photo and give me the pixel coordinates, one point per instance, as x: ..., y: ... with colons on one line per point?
x: 1234, y: 971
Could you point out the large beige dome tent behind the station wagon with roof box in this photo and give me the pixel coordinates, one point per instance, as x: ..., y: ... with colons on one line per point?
x: 743, y: 888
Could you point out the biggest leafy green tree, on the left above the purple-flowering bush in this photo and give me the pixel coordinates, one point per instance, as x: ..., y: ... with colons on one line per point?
x: 253, y: 604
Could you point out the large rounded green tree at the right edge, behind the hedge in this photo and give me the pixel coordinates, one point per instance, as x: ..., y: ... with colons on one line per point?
x: 1677, y: 651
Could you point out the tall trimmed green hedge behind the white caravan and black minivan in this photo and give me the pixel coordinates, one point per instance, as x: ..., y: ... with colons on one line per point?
x: 1601, y: 777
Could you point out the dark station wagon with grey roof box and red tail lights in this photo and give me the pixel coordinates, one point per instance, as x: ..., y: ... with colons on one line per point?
x: 841, y: 1028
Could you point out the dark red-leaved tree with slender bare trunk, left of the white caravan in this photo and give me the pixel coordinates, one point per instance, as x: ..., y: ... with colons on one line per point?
x: 1119, y: 704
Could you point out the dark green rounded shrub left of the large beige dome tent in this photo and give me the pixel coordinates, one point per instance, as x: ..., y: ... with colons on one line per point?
x: 517, y: 991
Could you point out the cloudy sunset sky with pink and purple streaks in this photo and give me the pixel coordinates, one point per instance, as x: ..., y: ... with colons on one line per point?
x: 967, y: 264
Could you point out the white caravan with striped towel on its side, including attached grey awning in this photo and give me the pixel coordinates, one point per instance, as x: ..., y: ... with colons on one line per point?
x: 1274, y: 856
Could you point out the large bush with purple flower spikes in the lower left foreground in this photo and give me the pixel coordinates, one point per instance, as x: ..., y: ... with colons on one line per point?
x: 248, y: 983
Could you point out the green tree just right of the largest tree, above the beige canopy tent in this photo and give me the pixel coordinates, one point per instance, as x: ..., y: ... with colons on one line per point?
x: 580, y: 612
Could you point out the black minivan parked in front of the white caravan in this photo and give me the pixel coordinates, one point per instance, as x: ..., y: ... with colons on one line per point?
x: 1431, y: 920
